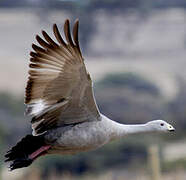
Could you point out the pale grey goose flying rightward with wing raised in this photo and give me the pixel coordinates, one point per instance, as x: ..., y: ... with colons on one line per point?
x: 59, y: 97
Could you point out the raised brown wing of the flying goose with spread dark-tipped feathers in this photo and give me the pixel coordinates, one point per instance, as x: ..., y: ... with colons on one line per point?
x: 59, y: 89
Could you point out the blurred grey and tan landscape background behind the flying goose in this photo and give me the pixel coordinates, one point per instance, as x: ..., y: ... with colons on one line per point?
x: 135, y: 53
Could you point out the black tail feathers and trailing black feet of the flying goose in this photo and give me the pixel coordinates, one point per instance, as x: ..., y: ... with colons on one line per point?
x: 19, y: 154
